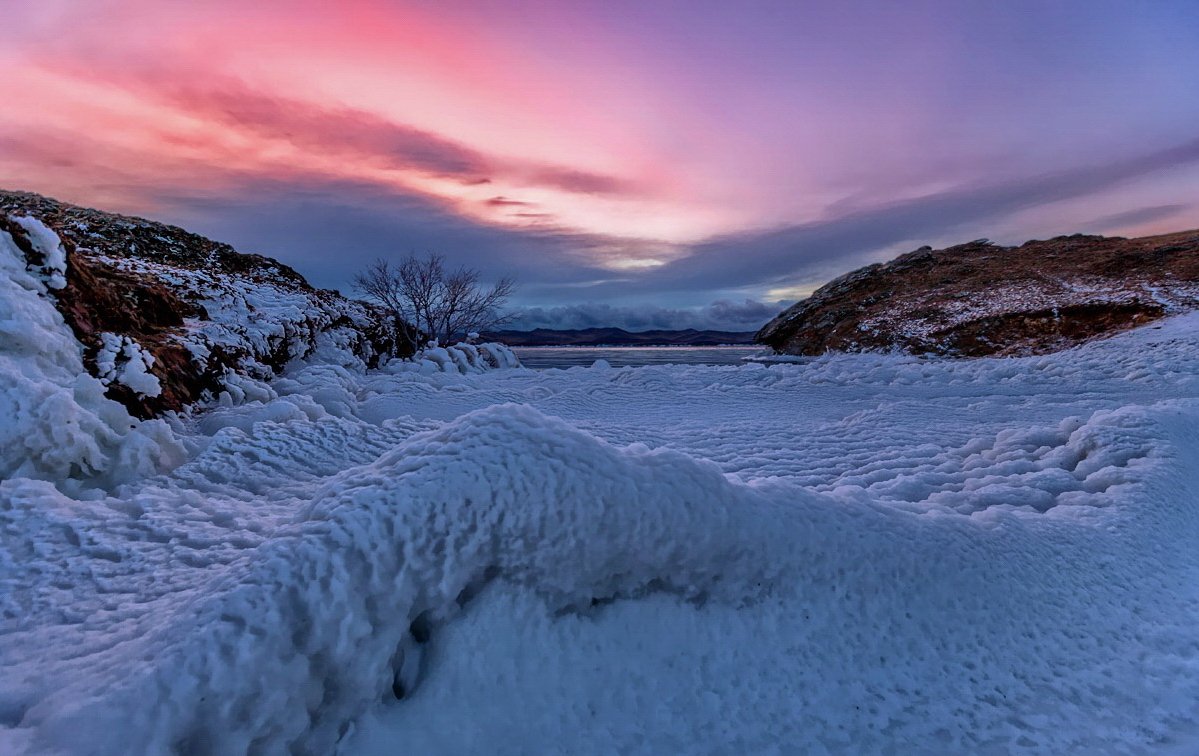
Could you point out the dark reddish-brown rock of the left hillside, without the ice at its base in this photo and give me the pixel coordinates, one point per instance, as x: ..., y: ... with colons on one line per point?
x: 167, y: 318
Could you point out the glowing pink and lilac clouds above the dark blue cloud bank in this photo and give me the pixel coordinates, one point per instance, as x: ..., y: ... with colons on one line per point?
x: 638, y: 122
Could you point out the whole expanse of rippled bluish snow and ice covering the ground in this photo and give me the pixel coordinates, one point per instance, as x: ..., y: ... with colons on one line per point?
x: 853, y: 555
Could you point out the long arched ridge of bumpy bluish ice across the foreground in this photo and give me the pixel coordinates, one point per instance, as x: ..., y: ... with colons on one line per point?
x: 293, y: 643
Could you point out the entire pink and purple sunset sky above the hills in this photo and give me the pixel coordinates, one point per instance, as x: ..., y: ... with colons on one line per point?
x: 629, y: 164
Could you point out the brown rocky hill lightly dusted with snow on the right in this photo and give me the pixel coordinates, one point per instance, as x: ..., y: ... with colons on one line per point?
x: 979, y: 299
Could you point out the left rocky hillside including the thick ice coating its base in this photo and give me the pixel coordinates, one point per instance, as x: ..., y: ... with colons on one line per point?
x: 109, y: 323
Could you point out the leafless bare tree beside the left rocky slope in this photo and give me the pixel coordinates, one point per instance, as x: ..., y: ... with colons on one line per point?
x: 439, y: 305
